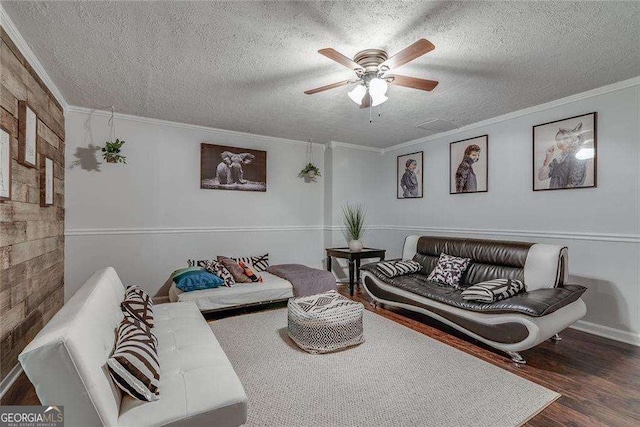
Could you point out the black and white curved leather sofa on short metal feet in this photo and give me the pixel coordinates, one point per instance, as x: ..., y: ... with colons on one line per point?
x: 548, y: 306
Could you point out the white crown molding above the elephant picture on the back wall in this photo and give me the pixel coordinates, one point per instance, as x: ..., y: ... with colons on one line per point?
x: 188, y: 126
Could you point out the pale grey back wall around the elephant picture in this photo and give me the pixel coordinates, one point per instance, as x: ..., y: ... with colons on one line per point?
x: 148, y: 217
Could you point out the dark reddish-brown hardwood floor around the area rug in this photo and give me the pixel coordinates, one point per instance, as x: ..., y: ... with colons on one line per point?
x: 599, y: 379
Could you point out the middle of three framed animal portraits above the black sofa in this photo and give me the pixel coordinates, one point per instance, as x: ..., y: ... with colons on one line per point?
x: 469, y: 165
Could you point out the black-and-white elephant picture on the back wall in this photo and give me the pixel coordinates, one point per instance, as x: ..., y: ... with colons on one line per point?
x: 232, y: 168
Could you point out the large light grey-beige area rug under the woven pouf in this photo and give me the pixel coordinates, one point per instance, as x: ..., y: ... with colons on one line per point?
x: 397, y: 377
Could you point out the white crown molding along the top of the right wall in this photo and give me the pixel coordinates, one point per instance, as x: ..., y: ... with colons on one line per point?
x: 635, y: 81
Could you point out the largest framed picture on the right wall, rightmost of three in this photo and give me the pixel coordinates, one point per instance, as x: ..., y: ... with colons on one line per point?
x: 565, y: 153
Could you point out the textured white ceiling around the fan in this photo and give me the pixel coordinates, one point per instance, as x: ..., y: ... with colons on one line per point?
x: 244, y: 65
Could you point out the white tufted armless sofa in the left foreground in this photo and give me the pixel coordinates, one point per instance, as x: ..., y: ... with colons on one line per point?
x: 66, y: 363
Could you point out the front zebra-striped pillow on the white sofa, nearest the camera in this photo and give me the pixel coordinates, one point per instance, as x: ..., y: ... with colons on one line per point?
x: 134, y: 365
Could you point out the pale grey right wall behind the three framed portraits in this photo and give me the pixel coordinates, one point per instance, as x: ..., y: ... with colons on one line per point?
x: 601, y: 226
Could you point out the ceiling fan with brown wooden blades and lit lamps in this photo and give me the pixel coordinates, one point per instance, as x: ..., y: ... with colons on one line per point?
x: 371, y: 67
